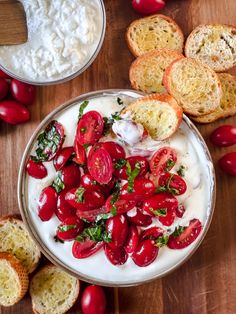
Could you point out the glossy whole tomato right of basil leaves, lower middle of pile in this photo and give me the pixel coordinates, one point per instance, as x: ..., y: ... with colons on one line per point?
x: 117, y: 227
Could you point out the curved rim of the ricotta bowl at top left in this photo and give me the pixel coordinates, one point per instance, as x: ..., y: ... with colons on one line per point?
x: 75, y: 74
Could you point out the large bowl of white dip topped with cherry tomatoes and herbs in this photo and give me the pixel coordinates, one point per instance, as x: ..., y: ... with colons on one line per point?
x: 91, y: 197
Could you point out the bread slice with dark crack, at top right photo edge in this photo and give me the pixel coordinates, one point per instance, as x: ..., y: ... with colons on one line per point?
x: 213, y: 44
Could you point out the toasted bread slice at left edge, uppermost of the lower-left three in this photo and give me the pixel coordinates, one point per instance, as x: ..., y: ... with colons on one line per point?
x: 15, y: 239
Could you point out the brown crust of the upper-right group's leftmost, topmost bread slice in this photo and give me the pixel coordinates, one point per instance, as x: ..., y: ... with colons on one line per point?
x: 162, y: 16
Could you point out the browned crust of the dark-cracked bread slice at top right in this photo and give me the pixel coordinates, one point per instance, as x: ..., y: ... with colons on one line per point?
x: 197, y: 29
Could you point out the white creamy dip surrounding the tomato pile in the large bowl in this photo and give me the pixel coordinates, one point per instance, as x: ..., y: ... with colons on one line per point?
x: 197, y: 201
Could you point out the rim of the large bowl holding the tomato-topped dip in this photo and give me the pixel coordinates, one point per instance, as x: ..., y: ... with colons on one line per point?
x: 26, y: 217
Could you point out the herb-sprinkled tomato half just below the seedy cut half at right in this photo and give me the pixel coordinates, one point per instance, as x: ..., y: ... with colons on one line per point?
x: 174, y: 182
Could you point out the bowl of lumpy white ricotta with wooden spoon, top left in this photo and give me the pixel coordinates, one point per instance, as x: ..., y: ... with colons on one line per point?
x: 64, y: 38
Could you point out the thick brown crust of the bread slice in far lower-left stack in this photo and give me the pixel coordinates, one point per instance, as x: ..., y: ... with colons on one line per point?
x: 21, y: 273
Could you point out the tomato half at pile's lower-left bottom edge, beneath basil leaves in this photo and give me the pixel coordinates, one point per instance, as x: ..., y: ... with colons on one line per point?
x: 86, y: 248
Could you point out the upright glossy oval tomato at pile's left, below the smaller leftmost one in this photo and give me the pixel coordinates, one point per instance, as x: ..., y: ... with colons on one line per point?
x: 47, y: 203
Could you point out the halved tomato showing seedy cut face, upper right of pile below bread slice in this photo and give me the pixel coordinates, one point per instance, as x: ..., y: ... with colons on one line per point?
x: 163, y: 160
